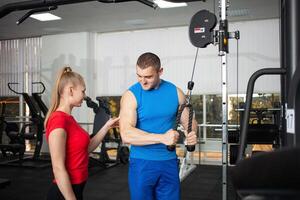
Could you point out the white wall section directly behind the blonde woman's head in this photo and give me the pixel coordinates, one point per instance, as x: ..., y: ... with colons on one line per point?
x: 75, y: 50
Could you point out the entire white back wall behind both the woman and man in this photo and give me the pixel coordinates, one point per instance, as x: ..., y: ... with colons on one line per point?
x: 107, y: 61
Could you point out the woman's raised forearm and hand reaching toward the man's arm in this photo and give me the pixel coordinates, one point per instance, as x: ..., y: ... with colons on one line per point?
x: 97, y: 139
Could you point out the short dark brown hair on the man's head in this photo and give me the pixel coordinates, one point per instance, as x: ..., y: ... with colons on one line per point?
x: 148, y: 59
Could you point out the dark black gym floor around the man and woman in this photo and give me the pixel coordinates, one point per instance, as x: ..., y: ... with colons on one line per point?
x: 204, y: 183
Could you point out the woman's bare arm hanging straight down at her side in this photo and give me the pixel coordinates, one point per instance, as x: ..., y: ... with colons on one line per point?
x: 57, y: 146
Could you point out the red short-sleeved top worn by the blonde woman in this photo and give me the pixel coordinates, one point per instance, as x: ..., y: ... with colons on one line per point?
x: 77, y: 143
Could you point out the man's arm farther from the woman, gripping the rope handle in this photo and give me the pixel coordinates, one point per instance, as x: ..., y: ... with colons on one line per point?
x: 184, y: 120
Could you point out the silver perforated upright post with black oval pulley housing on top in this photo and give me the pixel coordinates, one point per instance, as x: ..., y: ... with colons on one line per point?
x: 220, y: 37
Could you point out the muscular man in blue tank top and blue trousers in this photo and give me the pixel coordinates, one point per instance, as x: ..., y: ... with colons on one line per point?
x: 148, y: 113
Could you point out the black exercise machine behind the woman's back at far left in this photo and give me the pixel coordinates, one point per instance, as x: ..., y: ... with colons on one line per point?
x: 36, y: 131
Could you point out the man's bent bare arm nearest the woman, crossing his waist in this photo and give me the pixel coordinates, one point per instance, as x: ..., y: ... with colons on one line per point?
x: 135, y: 136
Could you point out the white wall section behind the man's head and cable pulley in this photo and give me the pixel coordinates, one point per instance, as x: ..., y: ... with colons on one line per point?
x: 258, y: 48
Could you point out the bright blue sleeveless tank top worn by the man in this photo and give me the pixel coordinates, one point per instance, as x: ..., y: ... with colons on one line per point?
x: 156, y: 113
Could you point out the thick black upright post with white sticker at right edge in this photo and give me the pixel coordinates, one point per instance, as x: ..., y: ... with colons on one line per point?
x: 289, y: 57
